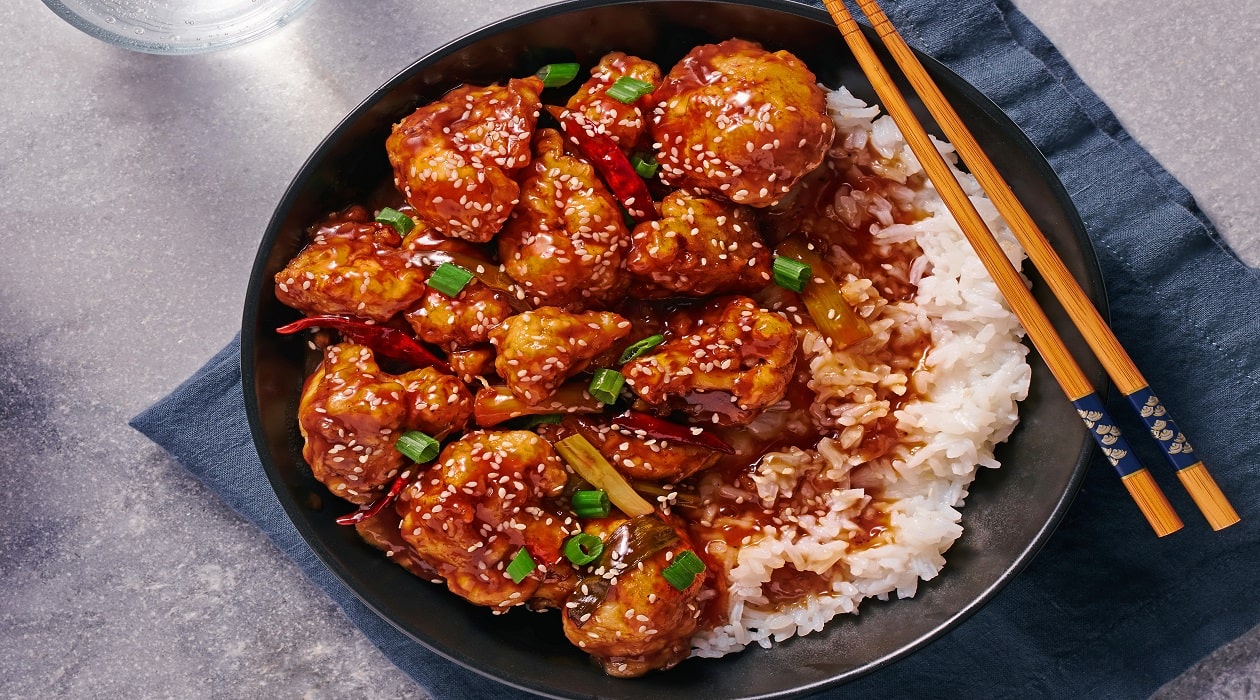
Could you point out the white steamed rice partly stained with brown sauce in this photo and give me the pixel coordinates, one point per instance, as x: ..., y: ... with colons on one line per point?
x: 965, y: 404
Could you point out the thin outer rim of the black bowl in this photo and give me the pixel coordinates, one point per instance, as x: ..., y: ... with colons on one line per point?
x: 1093, y: 286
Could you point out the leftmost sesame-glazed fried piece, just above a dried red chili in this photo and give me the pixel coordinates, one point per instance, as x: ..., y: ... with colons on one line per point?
x: 355, y: 268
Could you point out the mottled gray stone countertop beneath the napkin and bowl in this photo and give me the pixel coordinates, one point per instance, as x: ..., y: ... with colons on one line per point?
x: 135, y: 189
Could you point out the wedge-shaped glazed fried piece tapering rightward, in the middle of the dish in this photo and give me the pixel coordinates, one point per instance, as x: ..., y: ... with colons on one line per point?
x: 540, y: 349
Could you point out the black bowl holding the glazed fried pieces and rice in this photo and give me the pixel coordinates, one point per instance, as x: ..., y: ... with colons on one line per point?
x: 1010, y: 513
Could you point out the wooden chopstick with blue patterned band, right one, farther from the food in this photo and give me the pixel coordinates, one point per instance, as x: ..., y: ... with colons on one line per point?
x: 1190, y: 470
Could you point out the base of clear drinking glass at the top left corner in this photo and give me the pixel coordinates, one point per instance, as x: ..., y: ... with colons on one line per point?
x: 176, y: 27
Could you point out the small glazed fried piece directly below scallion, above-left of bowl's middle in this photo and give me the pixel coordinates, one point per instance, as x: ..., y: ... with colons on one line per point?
x: 463, y: 320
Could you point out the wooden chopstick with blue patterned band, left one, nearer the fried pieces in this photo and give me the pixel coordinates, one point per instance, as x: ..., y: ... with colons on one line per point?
x: 1142, y: 487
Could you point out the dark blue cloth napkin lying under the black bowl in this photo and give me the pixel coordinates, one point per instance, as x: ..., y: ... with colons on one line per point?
x: 1107, y: 609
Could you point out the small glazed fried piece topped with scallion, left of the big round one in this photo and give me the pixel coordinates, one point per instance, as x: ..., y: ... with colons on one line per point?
x: 622, y: 123
